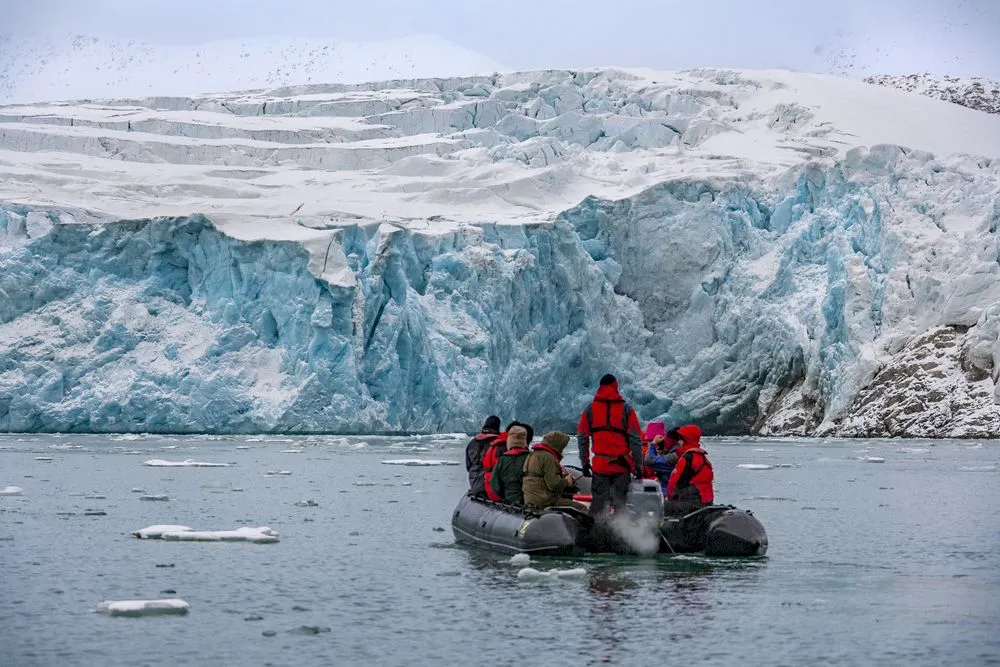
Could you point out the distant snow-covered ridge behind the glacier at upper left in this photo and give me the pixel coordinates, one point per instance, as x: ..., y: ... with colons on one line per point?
x: 79, y: 66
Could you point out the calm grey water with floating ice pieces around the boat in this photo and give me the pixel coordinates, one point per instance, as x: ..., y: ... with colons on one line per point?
x: 894, y: 563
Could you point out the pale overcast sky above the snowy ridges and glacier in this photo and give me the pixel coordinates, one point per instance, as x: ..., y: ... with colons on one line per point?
x: 845, y: 36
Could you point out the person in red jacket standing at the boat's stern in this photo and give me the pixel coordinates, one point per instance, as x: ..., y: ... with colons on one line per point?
x: 612, y: 425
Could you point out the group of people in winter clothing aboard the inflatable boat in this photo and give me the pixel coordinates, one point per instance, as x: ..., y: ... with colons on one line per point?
x: 504, y: 466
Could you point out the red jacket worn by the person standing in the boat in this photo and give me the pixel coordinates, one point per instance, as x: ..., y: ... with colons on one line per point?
x: 614, y: 428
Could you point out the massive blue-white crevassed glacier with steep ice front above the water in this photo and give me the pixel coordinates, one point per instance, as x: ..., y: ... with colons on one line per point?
x: 760, y: 252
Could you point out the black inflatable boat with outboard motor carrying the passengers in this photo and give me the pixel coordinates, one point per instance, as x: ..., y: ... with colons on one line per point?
x: 715, y: 530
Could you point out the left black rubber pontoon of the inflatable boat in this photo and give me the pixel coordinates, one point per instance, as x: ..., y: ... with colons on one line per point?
x: 501, y: 527
